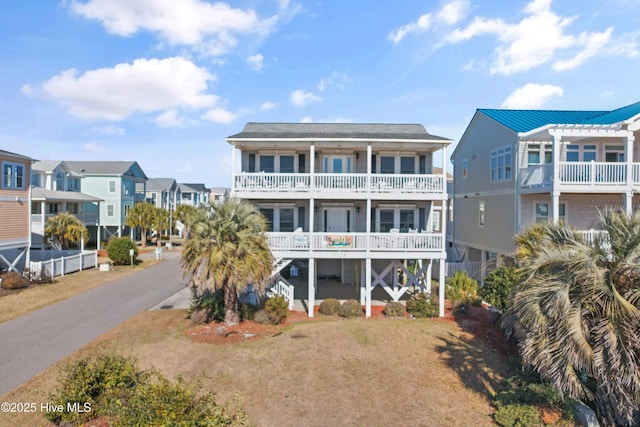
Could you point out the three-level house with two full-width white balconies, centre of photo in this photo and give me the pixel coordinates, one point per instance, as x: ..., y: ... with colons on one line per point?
x: 348, y: 202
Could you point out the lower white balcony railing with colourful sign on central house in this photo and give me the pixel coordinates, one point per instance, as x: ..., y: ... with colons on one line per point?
x: 337, y: 241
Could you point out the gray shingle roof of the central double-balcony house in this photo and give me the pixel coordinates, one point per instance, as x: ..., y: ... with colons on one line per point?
x: 373, y: 131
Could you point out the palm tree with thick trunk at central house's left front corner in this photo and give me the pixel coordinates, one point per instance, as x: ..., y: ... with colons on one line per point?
x: 227, y: 249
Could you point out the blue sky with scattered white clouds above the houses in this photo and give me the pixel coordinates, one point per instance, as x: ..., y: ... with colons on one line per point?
x: 163, y: 82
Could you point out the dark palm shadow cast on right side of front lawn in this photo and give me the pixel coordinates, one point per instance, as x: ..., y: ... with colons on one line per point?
x: 482, y: 357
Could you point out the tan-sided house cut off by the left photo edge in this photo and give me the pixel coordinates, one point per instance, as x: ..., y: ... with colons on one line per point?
x: 14, y: 209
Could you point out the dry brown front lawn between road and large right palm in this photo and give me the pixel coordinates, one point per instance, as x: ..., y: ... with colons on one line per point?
x: 322, y: 372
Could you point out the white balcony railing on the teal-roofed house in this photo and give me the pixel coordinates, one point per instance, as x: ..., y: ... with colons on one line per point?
x: 582, y: 177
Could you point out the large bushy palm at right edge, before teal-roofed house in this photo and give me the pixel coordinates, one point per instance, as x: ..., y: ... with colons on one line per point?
x: 576, y: 313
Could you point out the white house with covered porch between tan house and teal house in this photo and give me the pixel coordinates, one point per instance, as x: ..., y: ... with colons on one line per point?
x: 55, y: 188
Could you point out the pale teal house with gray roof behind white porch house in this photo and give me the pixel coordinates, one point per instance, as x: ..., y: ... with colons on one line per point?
x: 120, y: 184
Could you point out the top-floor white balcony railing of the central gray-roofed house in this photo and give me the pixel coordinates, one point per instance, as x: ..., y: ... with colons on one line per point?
x: 339, y: 186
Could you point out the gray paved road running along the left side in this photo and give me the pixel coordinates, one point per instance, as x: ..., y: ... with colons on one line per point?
x: 32, y: 343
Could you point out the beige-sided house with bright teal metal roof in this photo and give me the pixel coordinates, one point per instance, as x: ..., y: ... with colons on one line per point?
x: 513, y: 168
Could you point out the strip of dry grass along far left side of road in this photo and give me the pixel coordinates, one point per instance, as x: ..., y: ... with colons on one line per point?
x: 35, y: 297
